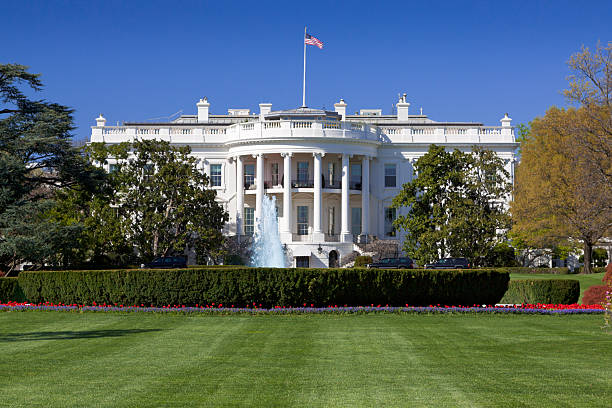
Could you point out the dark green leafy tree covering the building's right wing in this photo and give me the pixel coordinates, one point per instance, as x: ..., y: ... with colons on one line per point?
x: 455, y: 205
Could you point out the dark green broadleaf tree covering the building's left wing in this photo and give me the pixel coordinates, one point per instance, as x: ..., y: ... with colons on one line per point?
x: 162, y: 200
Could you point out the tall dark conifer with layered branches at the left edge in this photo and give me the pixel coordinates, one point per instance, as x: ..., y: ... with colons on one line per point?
x: 36, y: 158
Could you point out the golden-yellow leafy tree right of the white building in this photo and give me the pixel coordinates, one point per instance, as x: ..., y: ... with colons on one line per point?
x: 559, y: 194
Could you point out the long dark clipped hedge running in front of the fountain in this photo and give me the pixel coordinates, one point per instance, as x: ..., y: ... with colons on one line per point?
x: 269, y: 287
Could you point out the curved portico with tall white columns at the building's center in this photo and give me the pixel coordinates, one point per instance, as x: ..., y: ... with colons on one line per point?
x: 312, y: 198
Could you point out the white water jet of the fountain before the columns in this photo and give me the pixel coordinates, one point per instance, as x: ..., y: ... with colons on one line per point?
x: 267, y: 248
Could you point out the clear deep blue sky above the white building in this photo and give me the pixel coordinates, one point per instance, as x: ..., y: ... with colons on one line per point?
x: 459, y: 60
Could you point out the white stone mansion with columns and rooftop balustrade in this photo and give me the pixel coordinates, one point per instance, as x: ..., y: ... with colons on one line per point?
x: 334, y: 175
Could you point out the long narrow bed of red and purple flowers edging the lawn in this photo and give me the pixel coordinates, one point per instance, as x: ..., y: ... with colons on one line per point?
x: 549, y: 309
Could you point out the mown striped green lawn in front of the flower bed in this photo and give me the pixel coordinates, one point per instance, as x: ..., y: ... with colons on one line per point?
x: 58, y: 359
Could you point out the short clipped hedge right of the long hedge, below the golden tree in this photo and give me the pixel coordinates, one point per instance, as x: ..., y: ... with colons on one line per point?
x: 532, y: 291
